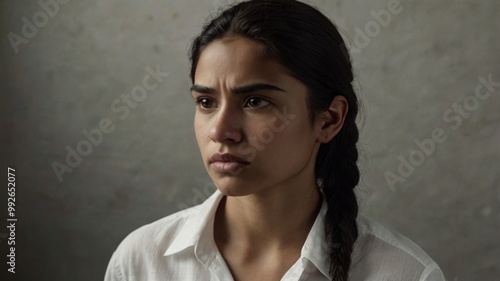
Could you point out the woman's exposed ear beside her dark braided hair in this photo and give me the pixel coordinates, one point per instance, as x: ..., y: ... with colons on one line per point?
x: 330, y: 121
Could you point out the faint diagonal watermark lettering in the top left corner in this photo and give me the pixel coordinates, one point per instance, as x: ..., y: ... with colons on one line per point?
x: 49, y: 9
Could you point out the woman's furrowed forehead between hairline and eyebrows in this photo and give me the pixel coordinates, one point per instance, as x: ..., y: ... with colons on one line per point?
x: 236, y: 60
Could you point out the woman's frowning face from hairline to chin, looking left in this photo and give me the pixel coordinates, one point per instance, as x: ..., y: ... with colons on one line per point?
x: 251, y: 122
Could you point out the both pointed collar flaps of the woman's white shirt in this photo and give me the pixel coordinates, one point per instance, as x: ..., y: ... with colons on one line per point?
x: 198, y: 233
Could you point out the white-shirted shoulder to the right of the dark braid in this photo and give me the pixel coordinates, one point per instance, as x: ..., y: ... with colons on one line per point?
x: 390, y: 255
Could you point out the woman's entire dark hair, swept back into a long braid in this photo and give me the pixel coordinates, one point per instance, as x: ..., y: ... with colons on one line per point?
x: 310, y: 47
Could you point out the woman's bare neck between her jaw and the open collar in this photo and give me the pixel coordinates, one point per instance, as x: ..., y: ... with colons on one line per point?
x: 279, y: 219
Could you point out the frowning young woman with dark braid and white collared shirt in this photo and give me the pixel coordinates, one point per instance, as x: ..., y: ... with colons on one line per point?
x: 275, y: 123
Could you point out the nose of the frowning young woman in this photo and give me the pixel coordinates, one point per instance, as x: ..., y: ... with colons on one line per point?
x: 226, y: 126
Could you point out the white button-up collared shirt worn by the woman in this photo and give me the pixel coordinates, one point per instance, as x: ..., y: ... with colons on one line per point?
x: 181, y: 247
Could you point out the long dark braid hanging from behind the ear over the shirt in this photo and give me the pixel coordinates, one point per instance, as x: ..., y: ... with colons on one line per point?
x: 339, y: 174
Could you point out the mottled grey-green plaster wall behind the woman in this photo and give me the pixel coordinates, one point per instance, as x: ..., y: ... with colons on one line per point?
x: 412, y: 71
